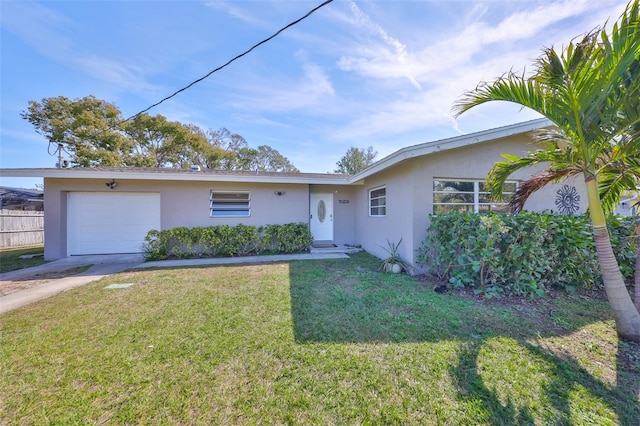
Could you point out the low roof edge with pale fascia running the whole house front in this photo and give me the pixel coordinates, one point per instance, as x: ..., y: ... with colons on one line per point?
x: 208, y: 175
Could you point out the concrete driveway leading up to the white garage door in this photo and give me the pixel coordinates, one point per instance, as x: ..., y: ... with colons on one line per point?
x: 102, y: 265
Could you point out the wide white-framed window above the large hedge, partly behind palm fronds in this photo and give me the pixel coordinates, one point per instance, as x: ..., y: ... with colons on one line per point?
x: 468, y: 196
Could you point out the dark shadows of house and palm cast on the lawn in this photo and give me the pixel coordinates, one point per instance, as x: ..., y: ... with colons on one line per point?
x: 358, y: 304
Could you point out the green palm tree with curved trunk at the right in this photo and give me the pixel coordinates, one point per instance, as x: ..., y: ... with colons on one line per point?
x: 591, y: 93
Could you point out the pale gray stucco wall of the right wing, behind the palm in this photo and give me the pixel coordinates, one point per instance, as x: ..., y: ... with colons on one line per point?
x: 410, y: 192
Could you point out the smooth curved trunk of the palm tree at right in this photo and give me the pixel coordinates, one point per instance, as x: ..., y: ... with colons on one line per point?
x: 624, y: 311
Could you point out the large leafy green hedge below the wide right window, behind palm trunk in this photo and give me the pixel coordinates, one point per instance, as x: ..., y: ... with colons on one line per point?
x: 521, y: 254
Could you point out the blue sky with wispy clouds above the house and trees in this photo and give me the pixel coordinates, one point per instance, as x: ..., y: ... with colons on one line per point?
x: 358, y: 73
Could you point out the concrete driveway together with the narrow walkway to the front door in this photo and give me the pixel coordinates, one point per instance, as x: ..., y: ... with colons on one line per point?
x: 103, y: 265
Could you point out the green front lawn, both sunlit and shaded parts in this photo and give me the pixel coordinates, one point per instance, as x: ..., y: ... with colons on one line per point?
x: 310, y: 342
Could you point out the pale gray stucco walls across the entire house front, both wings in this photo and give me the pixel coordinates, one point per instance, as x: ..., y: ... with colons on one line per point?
x: 409, y: 195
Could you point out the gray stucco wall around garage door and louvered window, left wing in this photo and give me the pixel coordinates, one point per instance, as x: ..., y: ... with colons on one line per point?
x: 182, y: 204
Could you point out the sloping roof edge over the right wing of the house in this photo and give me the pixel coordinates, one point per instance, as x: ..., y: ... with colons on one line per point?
x: 450, y: 143
